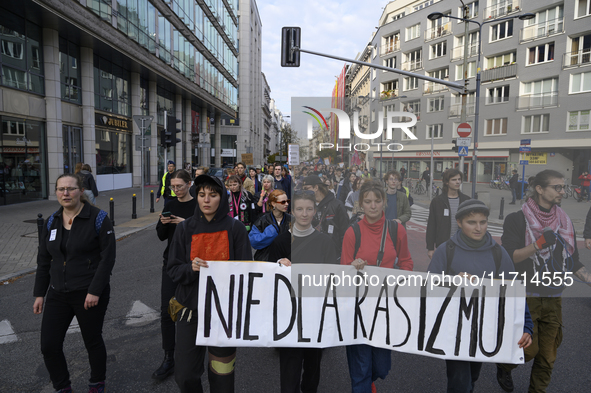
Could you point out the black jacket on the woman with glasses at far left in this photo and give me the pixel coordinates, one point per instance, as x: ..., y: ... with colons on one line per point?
x: 90, y: 256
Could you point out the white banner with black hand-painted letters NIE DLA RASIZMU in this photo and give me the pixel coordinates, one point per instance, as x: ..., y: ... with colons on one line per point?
x: 251, y: 305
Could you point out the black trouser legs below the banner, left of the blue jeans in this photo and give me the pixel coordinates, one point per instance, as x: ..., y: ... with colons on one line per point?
x: 292, y: 360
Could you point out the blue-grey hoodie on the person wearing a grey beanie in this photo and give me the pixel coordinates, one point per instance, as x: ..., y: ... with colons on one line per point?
x: 476, y: 262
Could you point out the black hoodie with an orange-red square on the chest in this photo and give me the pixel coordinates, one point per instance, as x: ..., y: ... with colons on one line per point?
x: 221, y: 239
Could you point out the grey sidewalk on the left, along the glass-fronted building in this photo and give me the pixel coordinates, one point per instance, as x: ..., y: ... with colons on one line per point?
x: 18, y: 227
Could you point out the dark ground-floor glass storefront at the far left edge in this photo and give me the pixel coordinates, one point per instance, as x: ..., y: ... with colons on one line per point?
x: 23, y: 166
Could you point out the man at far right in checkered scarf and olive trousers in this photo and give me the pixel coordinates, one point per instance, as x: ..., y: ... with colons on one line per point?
x: 541, y: 240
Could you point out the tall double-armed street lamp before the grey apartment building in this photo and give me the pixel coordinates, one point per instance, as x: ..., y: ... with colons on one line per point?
x: 439, y: 15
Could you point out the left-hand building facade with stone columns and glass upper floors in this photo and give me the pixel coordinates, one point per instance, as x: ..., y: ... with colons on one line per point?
x: 75, y: 72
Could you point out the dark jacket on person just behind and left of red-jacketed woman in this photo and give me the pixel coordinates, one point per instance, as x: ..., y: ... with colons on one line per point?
x: 332, y: 219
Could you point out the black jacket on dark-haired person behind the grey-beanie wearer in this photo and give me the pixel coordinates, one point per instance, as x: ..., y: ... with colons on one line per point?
x: 439, y: 225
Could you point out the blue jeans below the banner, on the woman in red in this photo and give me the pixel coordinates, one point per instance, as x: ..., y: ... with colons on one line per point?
x: 366, y: 364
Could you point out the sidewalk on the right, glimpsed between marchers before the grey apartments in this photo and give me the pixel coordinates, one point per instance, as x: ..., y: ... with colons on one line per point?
x: 577, y: 211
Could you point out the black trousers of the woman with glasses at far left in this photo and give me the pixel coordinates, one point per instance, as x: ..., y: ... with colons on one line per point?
x: 60, y: 308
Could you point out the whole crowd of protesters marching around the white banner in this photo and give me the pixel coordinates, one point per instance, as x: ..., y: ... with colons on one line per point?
x: 302, y: 214
